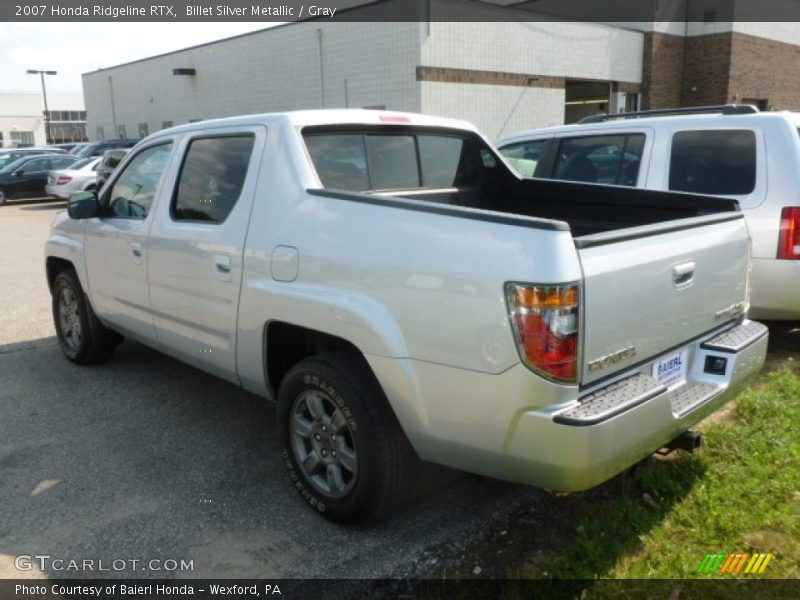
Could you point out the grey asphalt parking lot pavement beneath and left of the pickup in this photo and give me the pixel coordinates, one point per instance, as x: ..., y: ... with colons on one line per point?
x: 146, y: 458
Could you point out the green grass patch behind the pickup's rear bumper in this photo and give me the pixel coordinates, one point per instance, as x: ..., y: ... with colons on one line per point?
x: 740, y: 494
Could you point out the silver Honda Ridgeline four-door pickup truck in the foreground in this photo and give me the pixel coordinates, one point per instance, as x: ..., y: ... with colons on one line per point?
x: 401, y: 293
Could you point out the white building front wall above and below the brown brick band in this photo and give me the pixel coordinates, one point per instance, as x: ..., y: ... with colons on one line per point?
x: 571, y: 50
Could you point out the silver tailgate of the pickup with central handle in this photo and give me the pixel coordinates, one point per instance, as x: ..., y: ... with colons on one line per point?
x: 649, y: 290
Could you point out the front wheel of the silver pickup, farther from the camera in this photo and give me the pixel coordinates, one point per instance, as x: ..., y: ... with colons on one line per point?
x: 83, y: 338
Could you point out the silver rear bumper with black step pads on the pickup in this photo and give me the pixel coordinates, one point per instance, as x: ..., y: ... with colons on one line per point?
x: 572, y: 450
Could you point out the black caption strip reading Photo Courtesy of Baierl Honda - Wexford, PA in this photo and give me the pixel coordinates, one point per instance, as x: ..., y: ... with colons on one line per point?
x: 407, y: 589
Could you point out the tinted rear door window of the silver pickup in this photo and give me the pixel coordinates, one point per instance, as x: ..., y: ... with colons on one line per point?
x: 211, y: 178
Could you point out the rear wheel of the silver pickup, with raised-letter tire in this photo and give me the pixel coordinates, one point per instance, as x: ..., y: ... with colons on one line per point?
x: 346, y: 453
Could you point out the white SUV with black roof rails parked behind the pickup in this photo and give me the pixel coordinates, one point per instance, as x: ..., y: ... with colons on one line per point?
x: 731, y: 151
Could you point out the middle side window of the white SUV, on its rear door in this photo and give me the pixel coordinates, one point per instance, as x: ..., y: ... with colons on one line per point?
x: 611, y: 159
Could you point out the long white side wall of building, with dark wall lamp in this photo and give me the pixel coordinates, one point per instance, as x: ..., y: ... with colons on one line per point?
x: 272, y: 70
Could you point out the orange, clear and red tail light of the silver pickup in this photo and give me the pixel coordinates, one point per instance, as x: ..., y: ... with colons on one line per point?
x: 545, y: 321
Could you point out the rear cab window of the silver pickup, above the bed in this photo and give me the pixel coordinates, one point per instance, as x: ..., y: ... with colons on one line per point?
x: 402, y: 161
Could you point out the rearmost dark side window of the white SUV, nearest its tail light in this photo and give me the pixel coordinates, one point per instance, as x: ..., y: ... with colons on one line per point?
x: 721, y: 162
